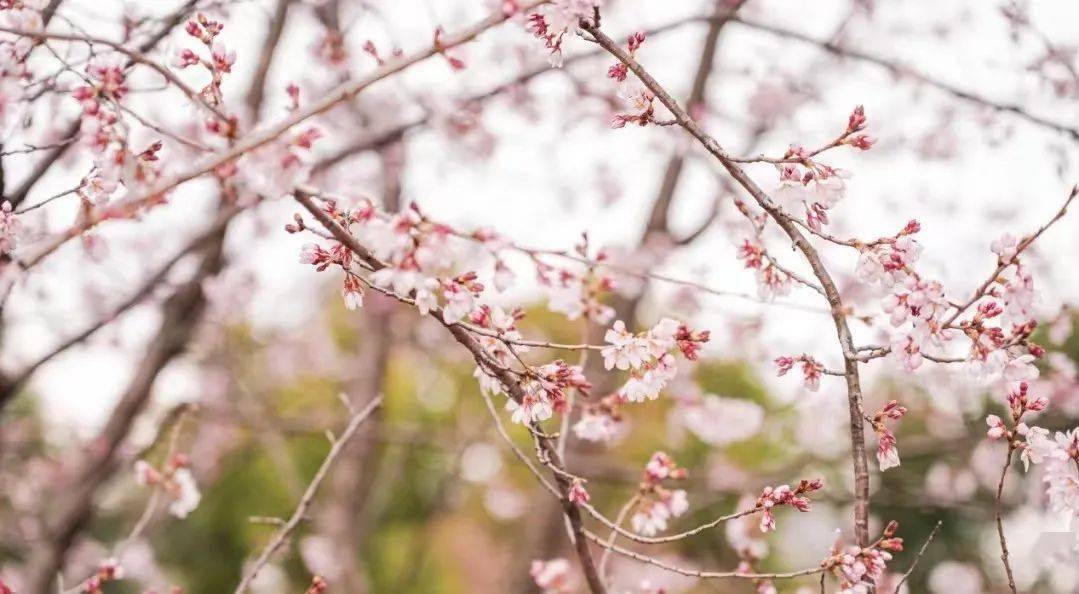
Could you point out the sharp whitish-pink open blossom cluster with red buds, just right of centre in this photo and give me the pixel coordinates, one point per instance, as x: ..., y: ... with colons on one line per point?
x: 649, y: 356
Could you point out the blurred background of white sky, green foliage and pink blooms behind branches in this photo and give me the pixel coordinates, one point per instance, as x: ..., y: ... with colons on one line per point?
x: 975, y: 105
